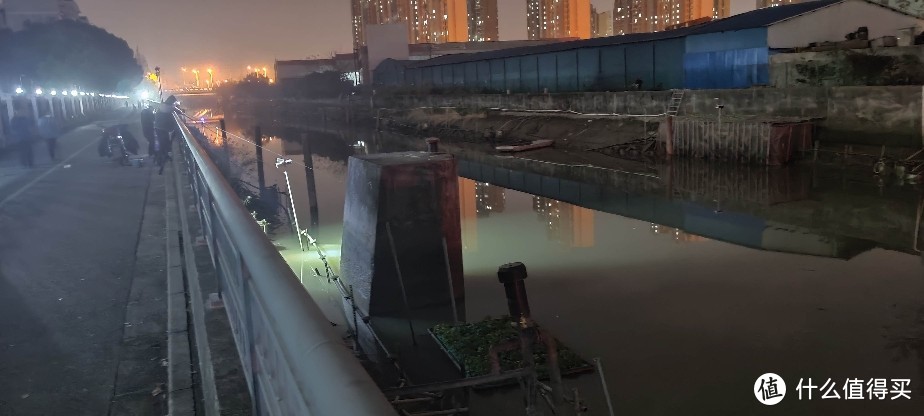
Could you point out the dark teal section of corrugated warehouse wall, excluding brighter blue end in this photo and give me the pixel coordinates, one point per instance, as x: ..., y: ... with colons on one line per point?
x: 658, y: 64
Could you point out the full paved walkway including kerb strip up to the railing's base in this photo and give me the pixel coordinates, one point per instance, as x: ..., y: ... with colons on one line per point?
x: 94, y: 290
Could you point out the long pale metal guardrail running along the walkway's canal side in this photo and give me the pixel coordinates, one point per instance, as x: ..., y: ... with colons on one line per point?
x: 294, y: 362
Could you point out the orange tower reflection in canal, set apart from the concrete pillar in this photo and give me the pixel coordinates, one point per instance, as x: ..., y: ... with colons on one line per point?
x: 568, y: 224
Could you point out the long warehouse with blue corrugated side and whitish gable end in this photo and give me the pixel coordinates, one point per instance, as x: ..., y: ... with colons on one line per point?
x: 727, y: 53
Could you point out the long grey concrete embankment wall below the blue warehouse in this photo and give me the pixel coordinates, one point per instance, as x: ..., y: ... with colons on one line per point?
x: 891, y: 116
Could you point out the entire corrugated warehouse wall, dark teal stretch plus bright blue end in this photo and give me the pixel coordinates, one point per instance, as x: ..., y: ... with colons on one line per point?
x: 738, y: 59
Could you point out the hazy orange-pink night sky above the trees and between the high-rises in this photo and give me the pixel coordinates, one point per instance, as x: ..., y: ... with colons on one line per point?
x: 231, y: 34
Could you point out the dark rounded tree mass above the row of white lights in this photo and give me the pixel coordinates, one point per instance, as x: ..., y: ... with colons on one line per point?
x: 69, y: 53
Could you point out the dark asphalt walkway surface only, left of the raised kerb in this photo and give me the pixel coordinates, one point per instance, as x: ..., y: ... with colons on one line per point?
x: 68, y: 238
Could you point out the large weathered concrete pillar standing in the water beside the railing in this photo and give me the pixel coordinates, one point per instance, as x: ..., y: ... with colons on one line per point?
x: 416, y: 195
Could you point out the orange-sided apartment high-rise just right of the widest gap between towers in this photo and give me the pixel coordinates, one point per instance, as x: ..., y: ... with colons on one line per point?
x: 549, y: 19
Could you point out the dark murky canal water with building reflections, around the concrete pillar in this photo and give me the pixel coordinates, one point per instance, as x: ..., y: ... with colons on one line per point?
x: 686, y: 291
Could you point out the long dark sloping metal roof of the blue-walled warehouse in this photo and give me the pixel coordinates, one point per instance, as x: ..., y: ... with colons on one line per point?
x: 750, y: 20
